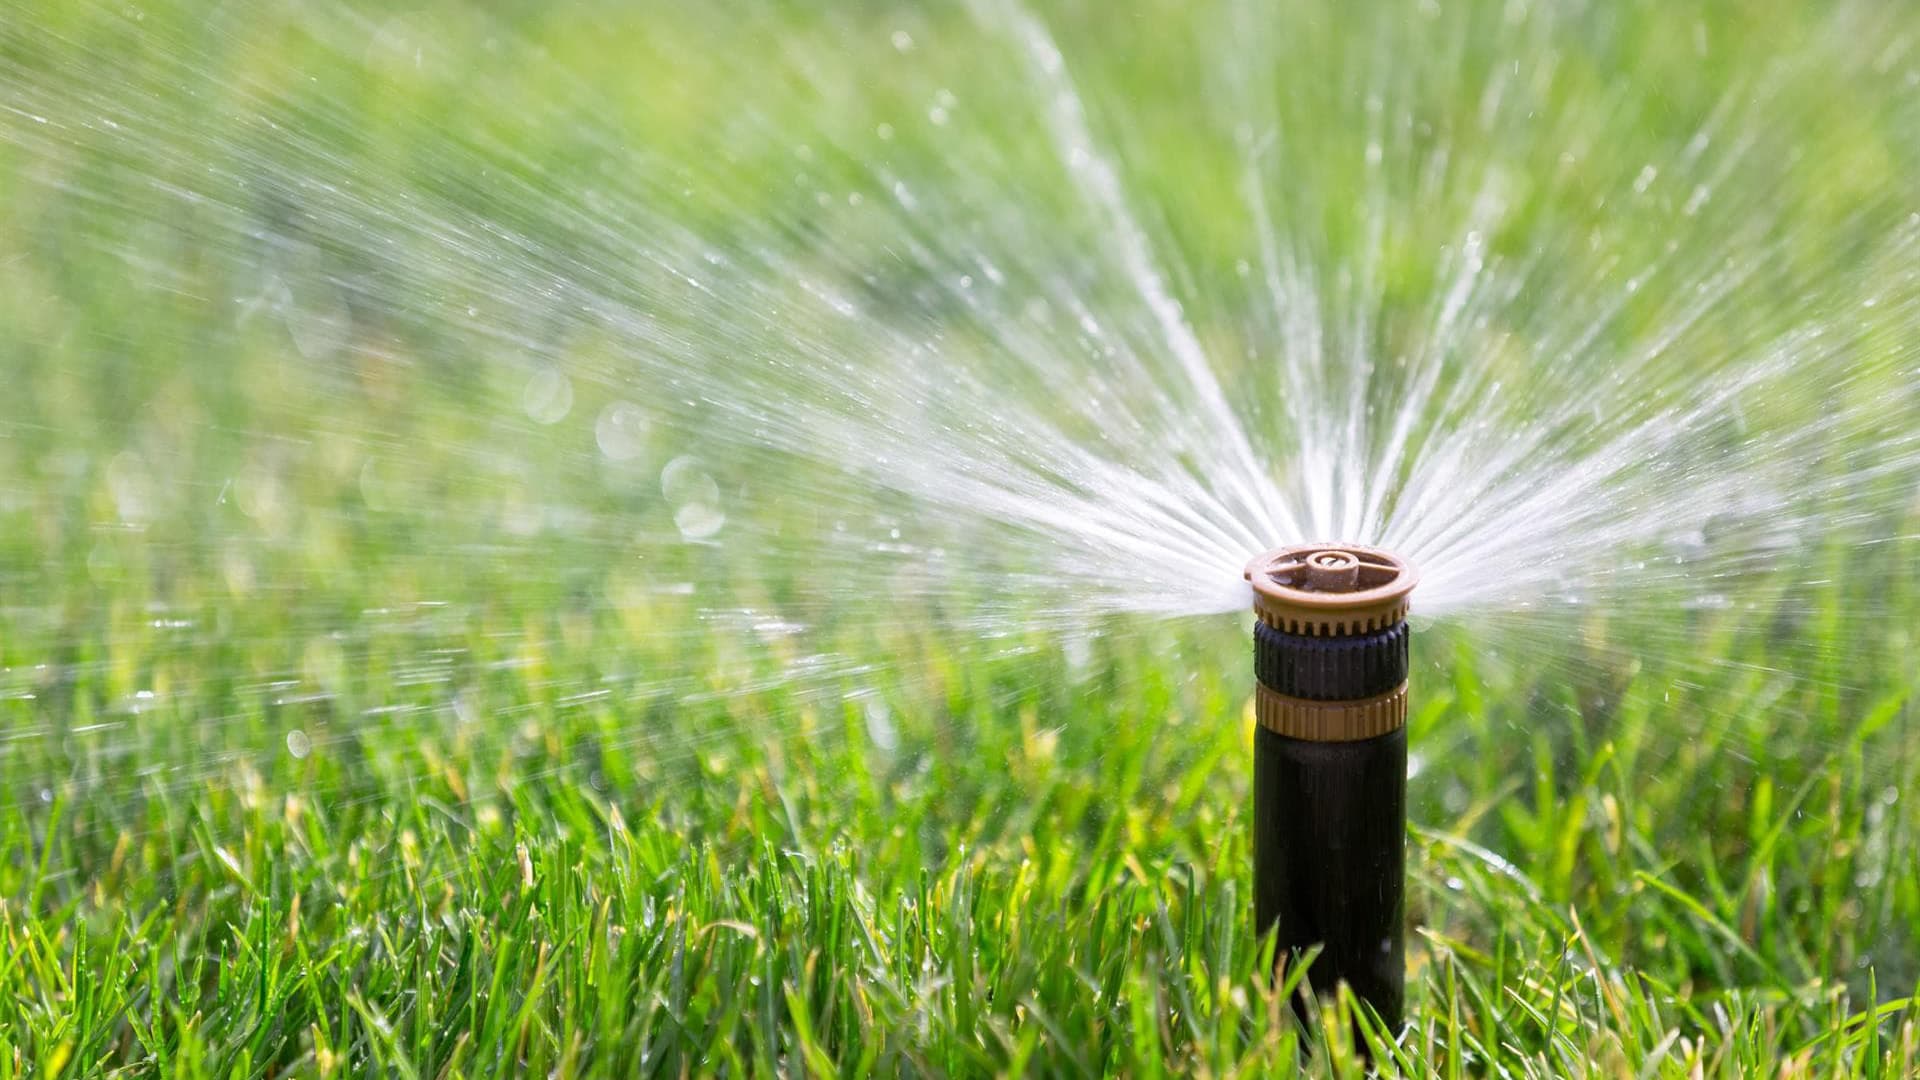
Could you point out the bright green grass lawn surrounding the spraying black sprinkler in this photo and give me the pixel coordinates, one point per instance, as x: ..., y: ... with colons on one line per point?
x: 381, y: 697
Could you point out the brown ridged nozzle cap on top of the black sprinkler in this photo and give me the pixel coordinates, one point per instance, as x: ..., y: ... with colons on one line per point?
x: 1332, y: 589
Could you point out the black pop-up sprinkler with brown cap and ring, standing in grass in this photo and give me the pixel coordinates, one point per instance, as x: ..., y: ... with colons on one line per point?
x: 1332, y: 764
